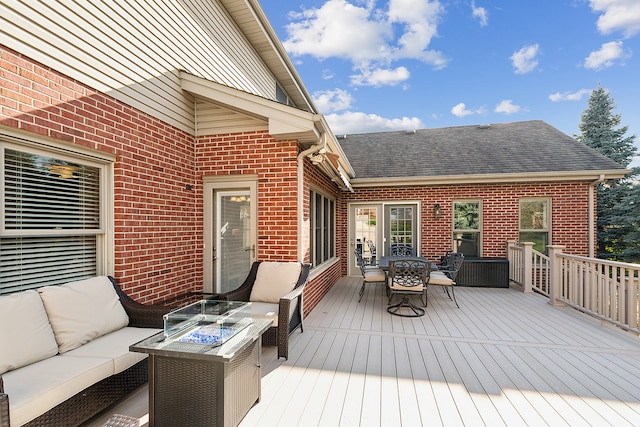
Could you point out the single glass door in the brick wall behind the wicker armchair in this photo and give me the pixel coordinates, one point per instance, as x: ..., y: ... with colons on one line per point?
x: 230, y: 234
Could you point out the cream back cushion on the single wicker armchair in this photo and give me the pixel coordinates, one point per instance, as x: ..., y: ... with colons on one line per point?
x: 274, y: 280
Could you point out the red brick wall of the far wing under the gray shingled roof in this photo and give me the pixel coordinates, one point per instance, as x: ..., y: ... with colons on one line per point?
x: 500, y: 205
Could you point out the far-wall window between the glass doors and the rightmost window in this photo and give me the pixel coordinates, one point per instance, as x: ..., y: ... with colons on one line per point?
x: 466, y: 228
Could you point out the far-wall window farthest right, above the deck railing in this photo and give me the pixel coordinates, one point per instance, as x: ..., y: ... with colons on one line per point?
x: 534, y: 223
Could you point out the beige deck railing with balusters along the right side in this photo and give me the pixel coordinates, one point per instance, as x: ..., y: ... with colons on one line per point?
x: 607, y: 290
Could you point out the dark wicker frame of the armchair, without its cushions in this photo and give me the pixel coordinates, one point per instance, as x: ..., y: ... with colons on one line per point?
x: 289, y: 308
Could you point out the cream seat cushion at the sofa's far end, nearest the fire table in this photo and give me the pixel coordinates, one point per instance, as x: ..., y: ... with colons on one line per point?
x: 115, y: 345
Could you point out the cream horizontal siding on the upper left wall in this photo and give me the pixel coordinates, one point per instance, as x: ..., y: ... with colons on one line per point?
x: 134, y: 50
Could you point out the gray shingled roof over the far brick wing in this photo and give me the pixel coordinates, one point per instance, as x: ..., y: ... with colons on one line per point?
x: 519, y: 147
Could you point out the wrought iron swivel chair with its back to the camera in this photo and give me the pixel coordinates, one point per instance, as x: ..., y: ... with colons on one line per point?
x: 408, y: 277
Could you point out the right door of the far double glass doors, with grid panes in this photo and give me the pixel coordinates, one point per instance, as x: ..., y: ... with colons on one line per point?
x: 401, y: 226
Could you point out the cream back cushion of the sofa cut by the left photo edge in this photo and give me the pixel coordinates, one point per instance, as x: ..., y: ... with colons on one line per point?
x: 25, y: 333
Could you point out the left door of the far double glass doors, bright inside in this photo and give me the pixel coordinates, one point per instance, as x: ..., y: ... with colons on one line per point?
x: 365, y: 234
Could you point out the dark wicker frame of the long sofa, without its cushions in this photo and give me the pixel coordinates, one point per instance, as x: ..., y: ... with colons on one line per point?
x: 96, y: 398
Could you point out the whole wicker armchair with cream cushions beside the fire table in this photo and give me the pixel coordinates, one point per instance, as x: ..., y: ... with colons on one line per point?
x: 275, y: 291
